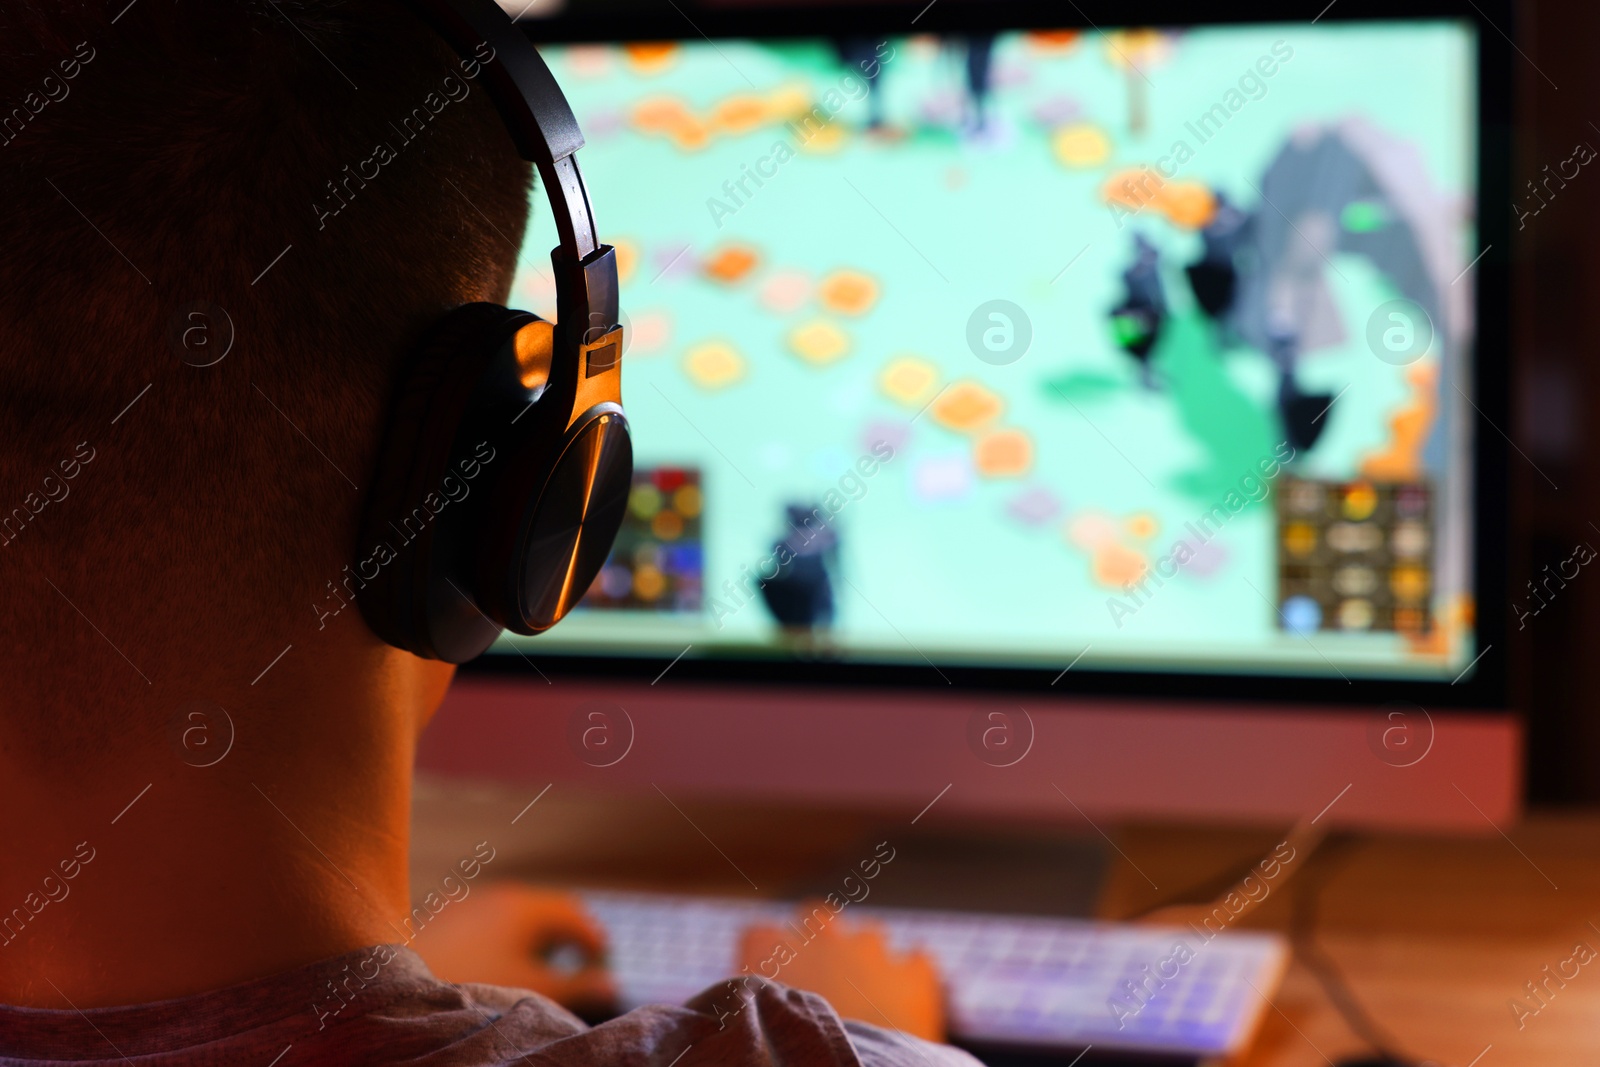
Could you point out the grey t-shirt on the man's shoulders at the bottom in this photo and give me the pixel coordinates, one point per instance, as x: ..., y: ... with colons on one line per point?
x: 383, y: 1007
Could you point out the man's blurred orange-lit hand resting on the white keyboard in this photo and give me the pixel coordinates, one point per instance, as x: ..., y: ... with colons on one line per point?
x: 852, y: 969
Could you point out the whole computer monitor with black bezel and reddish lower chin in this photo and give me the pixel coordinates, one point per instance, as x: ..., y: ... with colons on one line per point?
x: 1089, y: 420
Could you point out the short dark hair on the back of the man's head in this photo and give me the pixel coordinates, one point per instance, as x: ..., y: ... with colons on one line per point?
x: 321, y: 180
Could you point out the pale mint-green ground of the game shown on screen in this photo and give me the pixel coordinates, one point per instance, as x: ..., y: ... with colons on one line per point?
x: 964, y: 581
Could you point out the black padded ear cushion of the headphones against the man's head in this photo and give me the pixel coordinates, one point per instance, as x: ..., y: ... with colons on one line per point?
x: 404, y: 543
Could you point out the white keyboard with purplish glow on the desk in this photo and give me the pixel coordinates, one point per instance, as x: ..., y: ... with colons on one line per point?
x: 1010, y: 981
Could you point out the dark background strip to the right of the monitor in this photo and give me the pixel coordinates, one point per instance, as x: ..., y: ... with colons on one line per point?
x: 1554, y: 401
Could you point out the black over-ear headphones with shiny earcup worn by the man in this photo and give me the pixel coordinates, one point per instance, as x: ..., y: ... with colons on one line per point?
x: 506, y: 465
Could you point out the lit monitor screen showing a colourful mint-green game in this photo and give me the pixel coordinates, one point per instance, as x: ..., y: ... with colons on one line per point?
x: 1135, y: 351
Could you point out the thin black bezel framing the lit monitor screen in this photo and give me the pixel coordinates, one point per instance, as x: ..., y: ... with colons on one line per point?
x: 1484, y: 685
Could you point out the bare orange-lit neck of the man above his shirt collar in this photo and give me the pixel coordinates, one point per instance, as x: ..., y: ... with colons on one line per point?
x: 257, y: 842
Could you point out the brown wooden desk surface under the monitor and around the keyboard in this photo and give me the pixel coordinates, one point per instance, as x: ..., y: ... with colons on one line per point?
x: 1438, y: 937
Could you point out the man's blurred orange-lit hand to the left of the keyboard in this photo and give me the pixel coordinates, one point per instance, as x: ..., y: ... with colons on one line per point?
x: 513, y: 935
